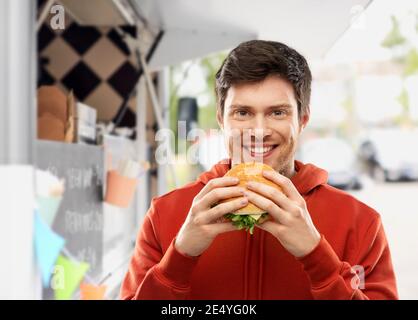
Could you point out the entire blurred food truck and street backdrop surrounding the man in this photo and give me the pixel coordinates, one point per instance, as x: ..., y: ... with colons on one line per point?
x: 108, y: 76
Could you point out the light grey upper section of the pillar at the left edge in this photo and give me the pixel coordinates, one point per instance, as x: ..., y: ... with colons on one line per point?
x: 17, y: 81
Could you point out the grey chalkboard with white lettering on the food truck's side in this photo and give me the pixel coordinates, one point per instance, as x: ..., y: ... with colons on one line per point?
x: 80, y: 217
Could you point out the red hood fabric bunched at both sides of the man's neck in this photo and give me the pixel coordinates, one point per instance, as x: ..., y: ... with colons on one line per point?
x: 306, y: 178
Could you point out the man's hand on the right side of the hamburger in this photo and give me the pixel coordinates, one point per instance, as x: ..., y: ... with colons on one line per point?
x: 291, y: 223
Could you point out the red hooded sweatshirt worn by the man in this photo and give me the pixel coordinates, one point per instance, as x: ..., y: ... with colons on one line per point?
x: 242, y: 266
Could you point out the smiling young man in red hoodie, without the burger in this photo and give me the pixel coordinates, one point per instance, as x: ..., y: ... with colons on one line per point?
x: 321, y: 243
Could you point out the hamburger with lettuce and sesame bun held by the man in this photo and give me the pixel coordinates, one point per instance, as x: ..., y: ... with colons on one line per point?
x: 250, y: 215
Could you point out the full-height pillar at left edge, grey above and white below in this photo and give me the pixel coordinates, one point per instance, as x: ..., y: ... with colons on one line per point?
x: 18, y: 275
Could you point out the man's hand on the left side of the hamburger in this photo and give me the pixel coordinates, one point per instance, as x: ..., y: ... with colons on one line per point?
x: 204, y: 222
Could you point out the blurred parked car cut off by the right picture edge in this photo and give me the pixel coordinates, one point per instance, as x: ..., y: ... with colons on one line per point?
x: 391, y: 154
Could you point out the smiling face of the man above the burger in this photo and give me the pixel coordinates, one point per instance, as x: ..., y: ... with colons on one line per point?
x: 260, y: 123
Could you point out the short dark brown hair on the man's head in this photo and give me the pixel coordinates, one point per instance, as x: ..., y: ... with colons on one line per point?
x: 255, y: 60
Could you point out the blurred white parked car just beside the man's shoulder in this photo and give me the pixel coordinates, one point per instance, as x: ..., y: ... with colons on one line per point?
x: 337, y: 157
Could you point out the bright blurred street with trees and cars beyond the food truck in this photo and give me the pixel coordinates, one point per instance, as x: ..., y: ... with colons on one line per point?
x: 364, y: 120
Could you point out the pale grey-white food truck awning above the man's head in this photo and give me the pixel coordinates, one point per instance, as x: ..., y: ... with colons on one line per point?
x: 195, y: 28
